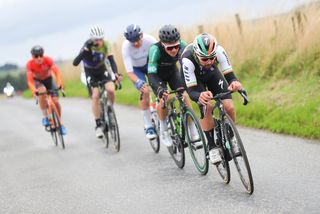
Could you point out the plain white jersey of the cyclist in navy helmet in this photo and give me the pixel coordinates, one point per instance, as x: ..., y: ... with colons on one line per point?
x: 137, y: 57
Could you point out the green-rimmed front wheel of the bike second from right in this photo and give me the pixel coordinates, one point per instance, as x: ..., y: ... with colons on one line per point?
x: 197, y: 144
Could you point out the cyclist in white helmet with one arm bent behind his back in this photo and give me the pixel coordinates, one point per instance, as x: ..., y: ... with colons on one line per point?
x: 94, y: 54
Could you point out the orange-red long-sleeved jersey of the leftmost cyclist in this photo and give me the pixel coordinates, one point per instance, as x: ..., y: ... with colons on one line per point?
x: 41, y: 72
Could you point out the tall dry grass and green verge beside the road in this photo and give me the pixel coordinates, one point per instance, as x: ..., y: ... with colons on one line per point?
x: 276, y: 58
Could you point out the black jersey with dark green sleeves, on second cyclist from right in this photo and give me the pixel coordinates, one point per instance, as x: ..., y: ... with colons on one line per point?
x: 162, y: 67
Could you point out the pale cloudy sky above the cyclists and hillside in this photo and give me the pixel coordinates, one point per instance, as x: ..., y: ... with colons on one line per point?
x: 62, y: 26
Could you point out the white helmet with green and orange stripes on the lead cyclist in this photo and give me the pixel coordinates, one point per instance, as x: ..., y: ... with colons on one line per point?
x: 205, y: 45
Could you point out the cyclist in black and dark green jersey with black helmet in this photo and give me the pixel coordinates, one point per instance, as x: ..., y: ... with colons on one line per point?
x: 162, y: 70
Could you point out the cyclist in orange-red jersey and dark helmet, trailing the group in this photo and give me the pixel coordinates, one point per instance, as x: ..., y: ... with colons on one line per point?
x: 39, y: 79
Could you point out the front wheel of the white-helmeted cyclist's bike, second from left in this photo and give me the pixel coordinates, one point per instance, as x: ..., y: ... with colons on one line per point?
x: 114, y: 128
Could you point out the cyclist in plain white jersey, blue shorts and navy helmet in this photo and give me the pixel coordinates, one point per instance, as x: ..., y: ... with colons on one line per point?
x: 135, y: 51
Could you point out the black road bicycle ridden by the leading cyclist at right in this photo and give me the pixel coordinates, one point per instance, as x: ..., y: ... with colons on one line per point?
x: 228, y: 140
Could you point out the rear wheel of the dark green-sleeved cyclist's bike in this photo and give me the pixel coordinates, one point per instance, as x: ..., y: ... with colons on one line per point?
x: 177, y: 149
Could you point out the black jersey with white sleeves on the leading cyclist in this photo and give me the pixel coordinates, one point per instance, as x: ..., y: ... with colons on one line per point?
x: 197, y: 78
